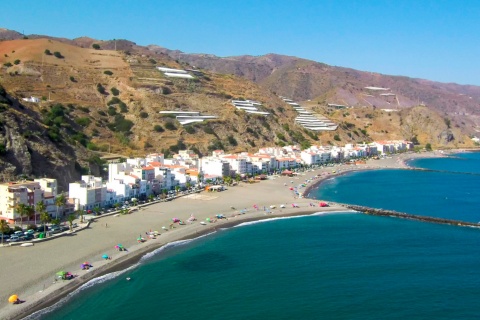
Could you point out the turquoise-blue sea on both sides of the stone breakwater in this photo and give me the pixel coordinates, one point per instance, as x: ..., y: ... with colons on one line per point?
x: 329, y: 266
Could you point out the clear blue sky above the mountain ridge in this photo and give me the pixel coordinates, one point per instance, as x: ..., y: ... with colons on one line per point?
x: 435, y: 40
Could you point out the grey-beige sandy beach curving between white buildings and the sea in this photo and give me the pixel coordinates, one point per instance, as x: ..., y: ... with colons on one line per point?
x: 30, y: 271
